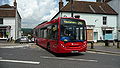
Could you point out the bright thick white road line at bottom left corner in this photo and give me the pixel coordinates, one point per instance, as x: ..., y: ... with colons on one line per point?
x: 18, y: 61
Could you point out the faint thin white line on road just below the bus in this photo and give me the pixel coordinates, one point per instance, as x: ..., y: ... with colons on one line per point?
x: 71, y: 59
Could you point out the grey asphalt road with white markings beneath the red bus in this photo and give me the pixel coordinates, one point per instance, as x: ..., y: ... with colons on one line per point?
x: 37, y: 57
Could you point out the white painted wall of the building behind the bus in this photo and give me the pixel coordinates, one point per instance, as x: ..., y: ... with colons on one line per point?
x: 97, y: 21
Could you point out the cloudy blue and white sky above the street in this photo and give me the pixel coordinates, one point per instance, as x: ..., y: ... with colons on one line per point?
x: 33, y: 12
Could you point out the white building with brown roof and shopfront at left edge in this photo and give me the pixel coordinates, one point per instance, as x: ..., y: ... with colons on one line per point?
x: 10, y: 22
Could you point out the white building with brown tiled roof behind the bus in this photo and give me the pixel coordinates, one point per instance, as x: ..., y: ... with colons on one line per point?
x: 100, y: 18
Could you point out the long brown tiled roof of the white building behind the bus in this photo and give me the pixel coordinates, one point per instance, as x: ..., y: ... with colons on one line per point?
x: 89, y: 7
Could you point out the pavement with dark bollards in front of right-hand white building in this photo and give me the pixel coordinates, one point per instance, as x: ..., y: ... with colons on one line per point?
x: 100, y: 47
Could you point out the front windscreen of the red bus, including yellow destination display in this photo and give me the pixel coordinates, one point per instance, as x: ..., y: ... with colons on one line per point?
x: 72, y: 30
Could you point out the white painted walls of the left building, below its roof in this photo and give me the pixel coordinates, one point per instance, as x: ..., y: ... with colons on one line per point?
x: 15, y: 23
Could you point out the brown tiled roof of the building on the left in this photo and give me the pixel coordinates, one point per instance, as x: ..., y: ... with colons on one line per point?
x: 7, y: 11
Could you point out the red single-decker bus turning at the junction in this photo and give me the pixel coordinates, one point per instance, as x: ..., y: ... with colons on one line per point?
x: 62, y: 35
